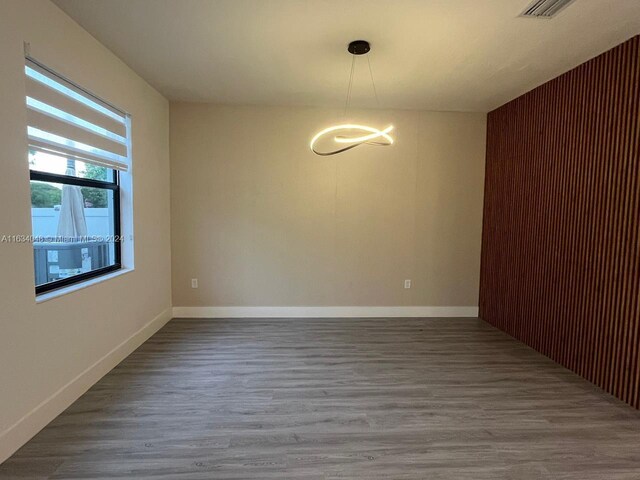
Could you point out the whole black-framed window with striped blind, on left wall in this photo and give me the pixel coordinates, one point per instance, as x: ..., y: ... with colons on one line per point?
x: 78, y: 154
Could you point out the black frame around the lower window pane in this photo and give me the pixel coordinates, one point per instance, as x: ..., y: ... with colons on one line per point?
x: 86, y: 182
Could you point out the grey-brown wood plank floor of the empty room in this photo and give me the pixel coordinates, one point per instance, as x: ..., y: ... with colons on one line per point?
x: 337, y: 399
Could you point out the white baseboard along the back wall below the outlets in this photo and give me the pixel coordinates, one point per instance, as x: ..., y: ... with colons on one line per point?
x: 322, y: 312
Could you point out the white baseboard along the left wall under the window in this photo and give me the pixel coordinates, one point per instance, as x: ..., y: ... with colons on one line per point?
x: 34, y: 421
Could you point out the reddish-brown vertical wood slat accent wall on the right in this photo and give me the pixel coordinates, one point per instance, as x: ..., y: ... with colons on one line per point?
x: 561, y: 234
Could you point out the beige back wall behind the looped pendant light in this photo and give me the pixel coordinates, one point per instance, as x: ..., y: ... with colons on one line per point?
x: 261, y: 221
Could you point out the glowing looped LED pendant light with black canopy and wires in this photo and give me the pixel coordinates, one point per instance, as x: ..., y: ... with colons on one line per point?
x: 348, y: 135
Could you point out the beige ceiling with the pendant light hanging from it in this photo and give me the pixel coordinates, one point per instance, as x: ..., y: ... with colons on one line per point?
x: 458, y: 55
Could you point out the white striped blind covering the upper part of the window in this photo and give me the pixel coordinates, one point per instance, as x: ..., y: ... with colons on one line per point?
x: 65, y: 120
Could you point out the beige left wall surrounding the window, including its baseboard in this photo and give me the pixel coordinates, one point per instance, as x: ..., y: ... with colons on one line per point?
x: 45, y: 346
